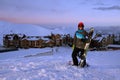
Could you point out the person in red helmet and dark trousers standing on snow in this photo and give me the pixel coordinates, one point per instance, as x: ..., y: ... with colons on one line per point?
x: 79, y: 44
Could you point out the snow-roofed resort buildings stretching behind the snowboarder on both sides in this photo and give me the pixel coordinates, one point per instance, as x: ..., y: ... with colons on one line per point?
x: 100, y: 41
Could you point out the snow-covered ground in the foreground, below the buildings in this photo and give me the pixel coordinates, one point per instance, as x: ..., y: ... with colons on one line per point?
x: 104, y: 65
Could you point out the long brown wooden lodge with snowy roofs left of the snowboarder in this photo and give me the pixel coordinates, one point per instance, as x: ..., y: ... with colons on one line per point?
x: 23, y: 41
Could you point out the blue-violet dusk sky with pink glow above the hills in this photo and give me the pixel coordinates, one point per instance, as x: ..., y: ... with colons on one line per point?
x: 91, y: 12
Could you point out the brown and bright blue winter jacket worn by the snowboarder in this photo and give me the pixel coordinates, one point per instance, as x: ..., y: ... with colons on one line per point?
x: 80, y: 39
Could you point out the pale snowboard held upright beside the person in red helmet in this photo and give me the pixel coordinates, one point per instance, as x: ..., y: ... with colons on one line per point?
x: 82, y: 62
